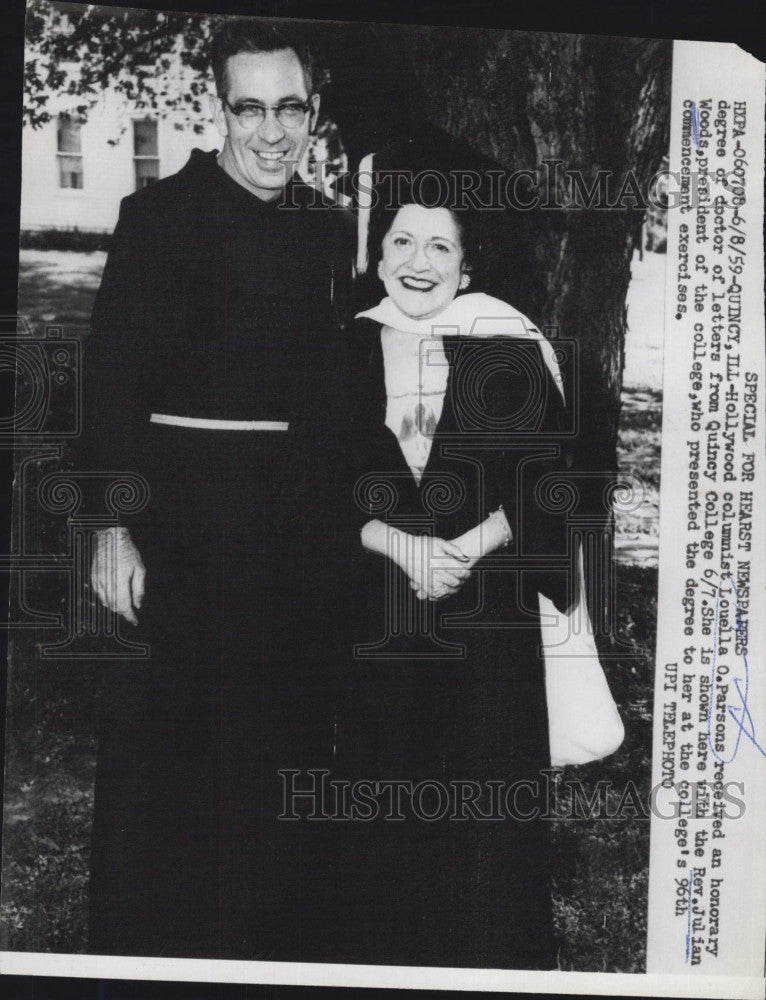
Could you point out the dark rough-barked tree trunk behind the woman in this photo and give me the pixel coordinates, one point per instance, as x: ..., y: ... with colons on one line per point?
x: 591, y: 103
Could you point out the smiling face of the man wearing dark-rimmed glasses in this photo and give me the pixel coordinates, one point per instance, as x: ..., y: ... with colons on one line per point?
x: 262, y: 157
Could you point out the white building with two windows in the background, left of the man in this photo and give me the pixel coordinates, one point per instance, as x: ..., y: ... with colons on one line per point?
x: 74, y: 174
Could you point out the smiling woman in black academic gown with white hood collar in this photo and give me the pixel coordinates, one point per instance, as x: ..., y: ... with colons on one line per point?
x: 449, y: 471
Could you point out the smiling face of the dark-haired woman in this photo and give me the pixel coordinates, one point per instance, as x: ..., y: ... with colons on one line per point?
x: 423, y: 261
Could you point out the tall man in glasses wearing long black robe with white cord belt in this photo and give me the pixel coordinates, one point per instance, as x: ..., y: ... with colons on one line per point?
x: 211, y: 358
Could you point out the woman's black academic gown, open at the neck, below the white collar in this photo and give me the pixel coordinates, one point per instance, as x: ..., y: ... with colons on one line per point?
x: 450, y: 694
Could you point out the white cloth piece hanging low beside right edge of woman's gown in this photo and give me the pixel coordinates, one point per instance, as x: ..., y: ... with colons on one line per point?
x: 583, y: 720
